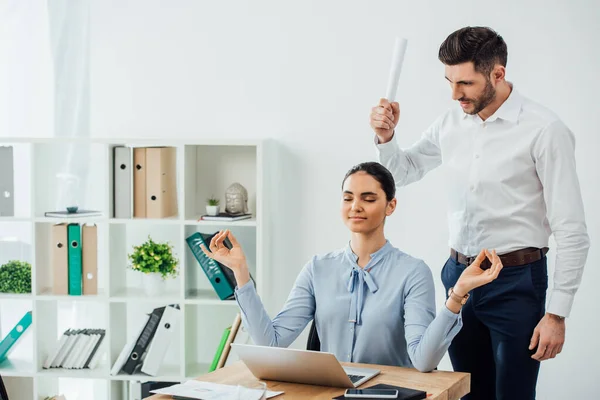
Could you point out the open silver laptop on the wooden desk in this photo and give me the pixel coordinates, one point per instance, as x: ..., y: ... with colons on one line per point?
x: 301, y: 366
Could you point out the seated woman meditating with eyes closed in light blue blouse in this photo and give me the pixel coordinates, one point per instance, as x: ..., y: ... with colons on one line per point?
x: 371, y: 302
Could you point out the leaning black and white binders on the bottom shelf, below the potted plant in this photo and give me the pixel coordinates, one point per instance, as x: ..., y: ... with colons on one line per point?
x: 146, y: 352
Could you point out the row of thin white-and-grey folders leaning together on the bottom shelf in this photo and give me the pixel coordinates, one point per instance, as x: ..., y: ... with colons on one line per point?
x: 77, y: 349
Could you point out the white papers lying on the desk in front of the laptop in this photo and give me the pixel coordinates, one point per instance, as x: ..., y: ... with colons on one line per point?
x: 213, y: 391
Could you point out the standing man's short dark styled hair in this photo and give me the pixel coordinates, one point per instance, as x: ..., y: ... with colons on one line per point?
x: 481, y: 45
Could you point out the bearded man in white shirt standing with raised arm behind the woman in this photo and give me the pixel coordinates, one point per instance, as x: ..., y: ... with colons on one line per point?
x: 511, y: 182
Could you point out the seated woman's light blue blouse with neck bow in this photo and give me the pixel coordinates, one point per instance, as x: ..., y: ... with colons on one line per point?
x: 382, y: 314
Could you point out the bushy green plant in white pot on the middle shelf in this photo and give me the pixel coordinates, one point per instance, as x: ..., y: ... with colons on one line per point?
x: 157, y: 263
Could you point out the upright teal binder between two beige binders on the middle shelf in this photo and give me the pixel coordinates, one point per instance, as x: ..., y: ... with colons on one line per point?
x: 74, y: 259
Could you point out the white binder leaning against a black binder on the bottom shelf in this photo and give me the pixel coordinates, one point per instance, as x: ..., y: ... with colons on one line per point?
x: 164, y: 336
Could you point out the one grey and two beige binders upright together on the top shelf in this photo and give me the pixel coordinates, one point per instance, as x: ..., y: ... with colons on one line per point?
x: 150, y: 174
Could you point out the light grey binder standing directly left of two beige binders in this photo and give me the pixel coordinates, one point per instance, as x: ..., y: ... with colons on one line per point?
x: 122, y: 182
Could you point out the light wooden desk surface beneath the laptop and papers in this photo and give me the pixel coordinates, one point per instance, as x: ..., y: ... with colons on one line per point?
x: 438, y: 384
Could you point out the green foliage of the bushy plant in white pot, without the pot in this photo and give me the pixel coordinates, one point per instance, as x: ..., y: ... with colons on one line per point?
x: 152, y: 257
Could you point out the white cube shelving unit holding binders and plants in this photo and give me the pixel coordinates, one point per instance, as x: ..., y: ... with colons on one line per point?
x: 204, y: 168
